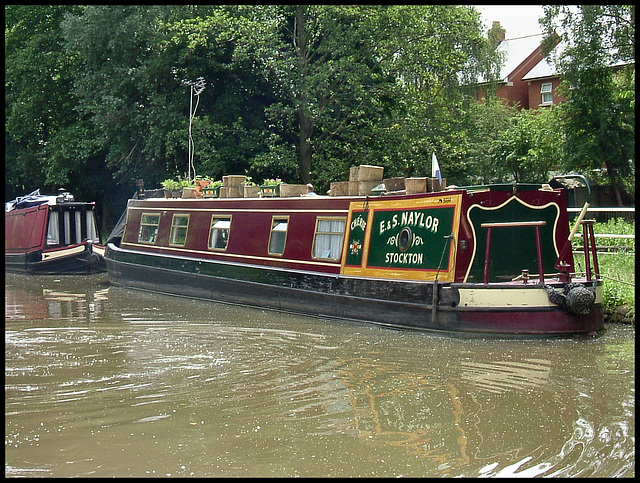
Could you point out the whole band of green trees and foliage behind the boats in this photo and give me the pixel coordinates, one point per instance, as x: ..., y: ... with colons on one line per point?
x: 97, y: 96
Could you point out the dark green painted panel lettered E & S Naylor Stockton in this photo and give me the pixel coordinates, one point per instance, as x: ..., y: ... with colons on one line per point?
x: 411, y: 238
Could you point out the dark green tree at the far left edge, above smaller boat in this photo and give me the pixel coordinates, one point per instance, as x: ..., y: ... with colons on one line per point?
x: 38, y: 94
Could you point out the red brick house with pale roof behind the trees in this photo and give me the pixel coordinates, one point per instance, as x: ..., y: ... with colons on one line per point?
x: 526, y: 79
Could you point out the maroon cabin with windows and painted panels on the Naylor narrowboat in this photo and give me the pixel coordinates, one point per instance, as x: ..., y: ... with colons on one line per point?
x: 446, y: 236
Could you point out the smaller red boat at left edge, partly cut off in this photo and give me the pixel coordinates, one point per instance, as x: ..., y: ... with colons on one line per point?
x: 52, y: 235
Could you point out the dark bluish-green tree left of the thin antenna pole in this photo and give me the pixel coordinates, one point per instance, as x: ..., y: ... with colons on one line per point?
x: 125, y: 88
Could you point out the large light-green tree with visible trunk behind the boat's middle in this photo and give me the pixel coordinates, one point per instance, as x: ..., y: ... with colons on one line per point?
x: 351, y: 84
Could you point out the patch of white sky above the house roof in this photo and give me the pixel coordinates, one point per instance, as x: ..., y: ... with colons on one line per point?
x: 517, y: 20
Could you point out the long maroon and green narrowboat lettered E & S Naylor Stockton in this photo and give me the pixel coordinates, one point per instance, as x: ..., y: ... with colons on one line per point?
x: 471, y: 260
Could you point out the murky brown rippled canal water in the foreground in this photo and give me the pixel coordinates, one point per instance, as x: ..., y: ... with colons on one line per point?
x: 105, y: 381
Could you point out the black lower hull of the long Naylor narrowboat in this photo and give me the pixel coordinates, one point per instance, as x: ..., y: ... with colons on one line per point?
x: 401, y: 304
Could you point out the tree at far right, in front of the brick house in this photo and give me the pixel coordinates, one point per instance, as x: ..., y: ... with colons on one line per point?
x: 598, y: 66
